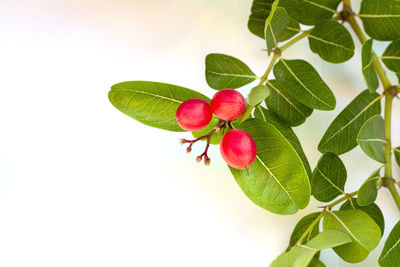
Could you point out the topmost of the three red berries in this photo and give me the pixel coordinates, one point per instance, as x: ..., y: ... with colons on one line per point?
x: 228, y: 104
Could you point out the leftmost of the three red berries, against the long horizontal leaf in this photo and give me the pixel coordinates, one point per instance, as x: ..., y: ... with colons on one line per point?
x: 194, y: 114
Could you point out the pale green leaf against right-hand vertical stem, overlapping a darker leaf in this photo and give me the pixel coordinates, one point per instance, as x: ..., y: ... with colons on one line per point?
x: 371, y: 138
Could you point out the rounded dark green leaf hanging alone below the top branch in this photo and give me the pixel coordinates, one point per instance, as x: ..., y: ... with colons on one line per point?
x: 331, y: 41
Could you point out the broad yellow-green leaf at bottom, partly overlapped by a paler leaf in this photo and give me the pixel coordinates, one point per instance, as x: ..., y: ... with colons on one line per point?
x: 362, y: 229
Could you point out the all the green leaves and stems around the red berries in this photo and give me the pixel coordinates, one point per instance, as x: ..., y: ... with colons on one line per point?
x: 281, y: 180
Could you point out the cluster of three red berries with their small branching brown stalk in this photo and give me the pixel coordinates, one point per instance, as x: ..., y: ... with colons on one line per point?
x: 237, y: 147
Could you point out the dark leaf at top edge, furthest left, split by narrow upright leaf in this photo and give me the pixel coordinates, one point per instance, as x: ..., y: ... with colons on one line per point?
x: 259, y: 13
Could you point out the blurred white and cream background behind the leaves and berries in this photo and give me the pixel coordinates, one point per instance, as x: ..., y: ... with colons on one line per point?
x: 81, y: 184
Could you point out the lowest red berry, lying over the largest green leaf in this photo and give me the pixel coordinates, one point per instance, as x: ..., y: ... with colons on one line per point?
x: 238, y: 149
